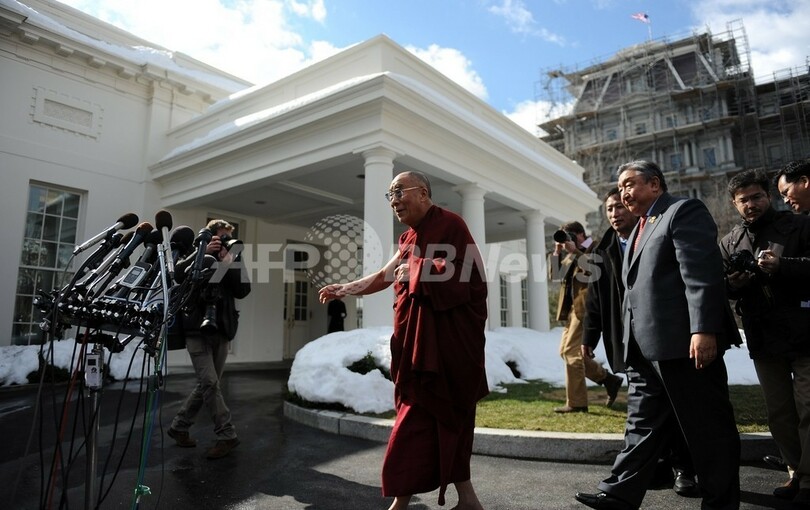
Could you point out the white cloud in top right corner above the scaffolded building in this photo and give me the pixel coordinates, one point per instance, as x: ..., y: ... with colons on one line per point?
x: 777, y: 30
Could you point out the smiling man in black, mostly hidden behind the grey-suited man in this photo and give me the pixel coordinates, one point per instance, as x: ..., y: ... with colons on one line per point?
x: 603, y: 319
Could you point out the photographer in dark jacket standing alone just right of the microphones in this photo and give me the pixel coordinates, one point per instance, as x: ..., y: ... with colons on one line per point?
x: 210, y: 322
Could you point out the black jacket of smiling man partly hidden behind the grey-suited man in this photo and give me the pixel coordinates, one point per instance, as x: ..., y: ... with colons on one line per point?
x: 603, y: 302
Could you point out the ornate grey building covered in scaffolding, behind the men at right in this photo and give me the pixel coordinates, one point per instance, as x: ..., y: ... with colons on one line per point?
x: 690, y: 104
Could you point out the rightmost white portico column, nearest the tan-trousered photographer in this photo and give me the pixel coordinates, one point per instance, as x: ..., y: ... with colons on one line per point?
x: 537, y: 283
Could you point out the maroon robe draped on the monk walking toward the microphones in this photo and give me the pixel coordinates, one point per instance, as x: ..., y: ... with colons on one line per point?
x: 437, y: 357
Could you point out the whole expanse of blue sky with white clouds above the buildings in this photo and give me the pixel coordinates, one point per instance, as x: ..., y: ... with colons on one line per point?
x: 497, y: 49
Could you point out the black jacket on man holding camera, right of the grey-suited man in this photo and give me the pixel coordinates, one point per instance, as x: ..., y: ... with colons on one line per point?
x: 775, y: 309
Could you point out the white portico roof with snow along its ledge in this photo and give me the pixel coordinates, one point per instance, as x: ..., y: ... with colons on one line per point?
x: 292, y: 151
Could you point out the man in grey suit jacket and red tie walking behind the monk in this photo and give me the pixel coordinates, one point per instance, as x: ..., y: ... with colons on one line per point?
x: 677, y: 325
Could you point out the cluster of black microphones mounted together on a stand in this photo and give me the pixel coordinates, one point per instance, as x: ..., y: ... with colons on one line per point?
x: 110, y: 293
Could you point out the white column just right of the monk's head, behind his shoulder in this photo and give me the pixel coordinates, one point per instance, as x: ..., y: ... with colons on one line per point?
x: 472, y: 210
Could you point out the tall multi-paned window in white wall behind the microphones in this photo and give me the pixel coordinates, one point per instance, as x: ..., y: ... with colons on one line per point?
x: 48, y: 242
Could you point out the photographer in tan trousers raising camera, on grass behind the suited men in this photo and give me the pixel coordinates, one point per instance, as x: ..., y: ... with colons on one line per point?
x: 568, y: 263
